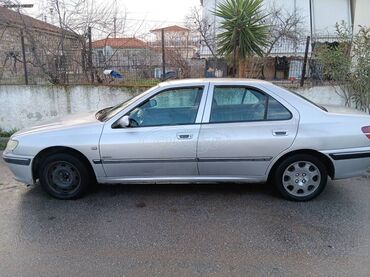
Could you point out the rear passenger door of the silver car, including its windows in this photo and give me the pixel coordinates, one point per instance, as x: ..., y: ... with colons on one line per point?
x: 243, y: 130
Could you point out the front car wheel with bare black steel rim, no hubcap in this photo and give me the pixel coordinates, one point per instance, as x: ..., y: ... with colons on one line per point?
x: 64, y: 176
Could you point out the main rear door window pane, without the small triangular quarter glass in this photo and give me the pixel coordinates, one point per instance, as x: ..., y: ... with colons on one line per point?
x: 233, y: 104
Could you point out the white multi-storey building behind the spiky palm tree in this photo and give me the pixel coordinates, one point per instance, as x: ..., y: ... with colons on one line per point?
x: 319, y: 18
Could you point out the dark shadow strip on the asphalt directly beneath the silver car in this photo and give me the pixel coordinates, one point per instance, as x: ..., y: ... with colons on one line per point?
x: 168, y: 196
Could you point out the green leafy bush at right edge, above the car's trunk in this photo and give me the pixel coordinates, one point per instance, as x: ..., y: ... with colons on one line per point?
x: 347, y: 65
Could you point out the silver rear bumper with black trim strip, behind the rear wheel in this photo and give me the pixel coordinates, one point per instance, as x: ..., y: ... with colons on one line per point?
x: 350, y: 162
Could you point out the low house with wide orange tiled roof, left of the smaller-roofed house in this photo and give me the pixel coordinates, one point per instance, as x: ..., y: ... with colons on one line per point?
x: 130, y: 56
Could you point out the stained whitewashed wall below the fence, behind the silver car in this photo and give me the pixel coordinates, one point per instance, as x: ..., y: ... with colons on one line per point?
x: 22, y: 106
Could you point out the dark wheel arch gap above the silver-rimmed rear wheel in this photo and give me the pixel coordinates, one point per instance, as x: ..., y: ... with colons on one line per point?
x: 325, y: 159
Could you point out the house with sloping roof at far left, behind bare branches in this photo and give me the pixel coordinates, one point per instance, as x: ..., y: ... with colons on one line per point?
x: 51, y: 54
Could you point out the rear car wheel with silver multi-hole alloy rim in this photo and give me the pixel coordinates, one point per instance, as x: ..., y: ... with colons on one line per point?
x: 300, y: 177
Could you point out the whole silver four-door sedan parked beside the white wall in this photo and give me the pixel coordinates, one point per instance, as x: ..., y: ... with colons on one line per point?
x: 196, y: 131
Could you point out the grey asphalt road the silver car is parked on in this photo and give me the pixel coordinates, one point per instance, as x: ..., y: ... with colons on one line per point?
x: 184, y: 230
